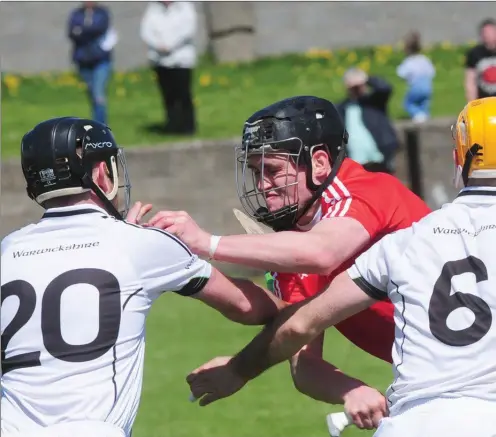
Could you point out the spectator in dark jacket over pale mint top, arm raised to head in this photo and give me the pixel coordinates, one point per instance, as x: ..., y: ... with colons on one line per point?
x: 373, y: 141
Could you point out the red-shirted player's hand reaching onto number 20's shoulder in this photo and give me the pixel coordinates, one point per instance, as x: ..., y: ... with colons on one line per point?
x: 185, y: 228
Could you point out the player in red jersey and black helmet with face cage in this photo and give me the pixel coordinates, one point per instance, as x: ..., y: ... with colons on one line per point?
x: 294, y: 176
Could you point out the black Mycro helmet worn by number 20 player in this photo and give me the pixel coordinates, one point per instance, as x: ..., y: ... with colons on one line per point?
x: 58, y: 155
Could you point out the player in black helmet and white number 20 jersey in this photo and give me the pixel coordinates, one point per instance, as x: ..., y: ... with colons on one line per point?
x: 77, y: 285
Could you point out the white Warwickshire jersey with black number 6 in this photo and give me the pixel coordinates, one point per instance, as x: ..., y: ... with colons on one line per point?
x: 440, y: 275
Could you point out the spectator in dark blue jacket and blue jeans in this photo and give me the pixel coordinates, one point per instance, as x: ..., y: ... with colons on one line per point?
x: 93, y: 40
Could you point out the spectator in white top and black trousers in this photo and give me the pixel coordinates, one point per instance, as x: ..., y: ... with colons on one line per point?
x: 168, y: 28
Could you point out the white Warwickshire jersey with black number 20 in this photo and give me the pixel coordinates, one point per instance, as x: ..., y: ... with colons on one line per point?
x: 76, y: 289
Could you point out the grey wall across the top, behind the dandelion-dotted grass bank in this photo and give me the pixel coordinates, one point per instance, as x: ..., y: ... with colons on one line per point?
x: 33, y: 34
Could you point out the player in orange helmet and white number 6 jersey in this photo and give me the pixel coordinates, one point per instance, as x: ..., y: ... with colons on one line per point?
x: 440, y: 274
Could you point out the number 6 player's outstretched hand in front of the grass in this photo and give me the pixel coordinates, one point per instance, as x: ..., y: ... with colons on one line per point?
x: 214, y: 380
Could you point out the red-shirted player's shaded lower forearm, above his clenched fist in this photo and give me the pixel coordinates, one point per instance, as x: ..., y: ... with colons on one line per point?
x: 320, y: 380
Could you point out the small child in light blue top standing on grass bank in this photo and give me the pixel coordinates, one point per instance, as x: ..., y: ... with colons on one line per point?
x: 418, y: 71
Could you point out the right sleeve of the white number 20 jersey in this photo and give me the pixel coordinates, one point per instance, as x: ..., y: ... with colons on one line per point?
x: 167, y: 264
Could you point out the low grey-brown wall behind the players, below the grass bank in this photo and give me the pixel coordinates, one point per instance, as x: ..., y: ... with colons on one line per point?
x: 199, y: 177
